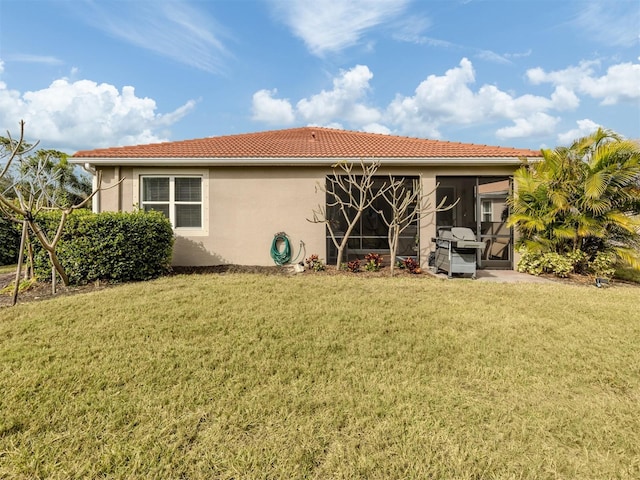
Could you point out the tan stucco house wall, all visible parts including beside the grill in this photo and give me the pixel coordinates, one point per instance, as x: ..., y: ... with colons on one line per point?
x: 248, y: 205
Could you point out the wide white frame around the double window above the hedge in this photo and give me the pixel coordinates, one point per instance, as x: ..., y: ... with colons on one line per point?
x: 138, y: 175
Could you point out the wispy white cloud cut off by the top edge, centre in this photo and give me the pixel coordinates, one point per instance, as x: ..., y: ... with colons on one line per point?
x: 333, y: 25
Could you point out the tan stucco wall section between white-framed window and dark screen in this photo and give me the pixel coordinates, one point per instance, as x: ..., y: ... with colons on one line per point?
x: 248, y: 206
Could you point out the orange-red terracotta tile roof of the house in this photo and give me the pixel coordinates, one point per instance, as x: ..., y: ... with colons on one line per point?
x: 308, y: 142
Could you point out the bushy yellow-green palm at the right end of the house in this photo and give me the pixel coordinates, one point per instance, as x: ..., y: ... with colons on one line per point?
x: 582, y: 198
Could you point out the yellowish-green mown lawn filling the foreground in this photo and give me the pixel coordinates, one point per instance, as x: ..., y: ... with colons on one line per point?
x: 249, y: 376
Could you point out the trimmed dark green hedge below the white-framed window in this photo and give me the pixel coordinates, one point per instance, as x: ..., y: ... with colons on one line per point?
x: 111, y: 246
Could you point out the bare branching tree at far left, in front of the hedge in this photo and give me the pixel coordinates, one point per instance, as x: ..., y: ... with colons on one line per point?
x: 32, y: 193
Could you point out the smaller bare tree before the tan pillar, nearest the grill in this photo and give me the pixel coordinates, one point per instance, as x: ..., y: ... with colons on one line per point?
x: 408, y: 205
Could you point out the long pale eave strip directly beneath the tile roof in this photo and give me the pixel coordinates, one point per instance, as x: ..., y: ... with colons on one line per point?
x: 294, y: 161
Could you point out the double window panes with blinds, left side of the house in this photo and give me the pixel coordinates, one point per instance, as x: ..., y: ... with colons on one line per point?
x: 179, y: 198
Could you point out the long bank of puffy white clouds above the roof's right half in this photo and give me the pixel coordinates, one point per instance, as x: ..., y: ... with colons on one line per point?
x: 438, y: 101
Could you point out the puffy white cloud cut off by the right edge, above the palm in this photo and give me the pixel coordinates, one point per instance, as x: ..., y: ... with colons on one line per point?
x: 621, y: 82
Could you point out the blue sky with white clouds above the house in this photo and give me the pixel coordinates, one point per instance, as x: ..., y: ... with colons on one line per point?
x: 85, y: 74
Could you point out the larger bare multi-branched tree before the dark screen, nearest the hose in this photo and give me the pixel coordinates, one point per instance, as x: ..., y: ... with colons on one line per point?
x: 349, y: 192
